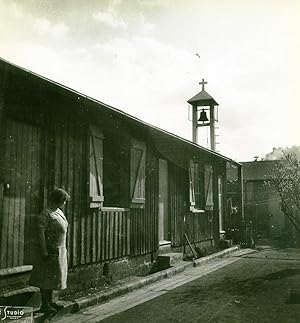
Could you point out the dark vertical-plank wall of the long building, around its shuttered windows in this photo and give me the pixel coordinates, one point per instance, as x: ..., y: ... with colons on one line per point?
x: 46, y: 144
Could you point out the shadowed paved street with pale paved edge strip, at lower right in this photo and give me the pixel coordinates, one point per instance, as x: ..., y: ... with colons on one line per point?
x: 257, y: 287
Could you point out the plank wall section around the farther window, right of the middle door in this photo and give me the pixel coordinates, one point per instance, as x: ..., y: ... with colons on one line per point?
x: 198, y: 226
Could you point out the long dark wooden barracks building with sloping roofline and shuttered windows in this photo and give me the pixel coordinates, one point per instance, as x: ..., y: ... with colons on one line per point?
x: 135, y: 189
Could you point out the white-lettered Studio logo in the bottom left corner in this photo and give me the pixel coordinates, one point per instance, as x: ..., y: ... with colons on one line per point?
x: 16, y: 314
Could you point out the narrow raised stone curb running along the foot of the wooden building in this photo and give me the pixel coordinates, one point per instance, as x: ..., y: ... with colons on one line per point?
x: 101, y: 297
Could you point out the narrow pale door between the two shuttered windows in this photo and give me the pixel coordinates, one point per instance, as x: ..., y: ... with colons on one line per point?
x: 163, y: 223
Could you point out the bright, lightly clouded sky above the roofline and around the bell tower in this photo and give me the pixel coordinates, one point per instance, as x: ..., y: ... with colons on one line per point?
x: 147, y: 57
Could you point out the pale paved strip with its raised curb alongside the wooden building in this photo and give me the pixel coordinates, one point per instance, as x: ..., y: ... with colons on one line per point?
x: 153, y: 287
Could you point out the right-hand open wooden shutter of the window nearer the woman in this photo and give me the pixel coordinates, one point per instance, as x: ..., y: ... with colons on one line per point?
x: 137, y: 172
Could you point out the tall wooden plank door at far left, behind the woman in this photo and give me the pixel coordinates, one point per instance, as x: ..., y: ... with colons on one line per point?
x: 20, y: 192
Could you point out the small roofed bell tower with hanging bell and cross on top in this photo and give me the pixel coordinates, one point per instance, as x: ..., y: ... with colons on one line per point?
x: 200, y: 119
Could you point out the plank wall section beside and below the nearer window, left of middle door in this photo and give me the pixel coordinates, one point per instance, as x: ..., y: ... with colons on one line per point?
x: 98, y: 235
